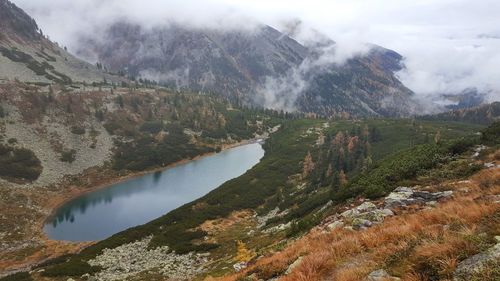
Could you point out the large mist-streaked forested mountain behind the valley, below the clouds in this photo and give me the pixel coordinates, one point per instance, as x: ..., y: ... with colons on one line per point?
x: 259, y: 66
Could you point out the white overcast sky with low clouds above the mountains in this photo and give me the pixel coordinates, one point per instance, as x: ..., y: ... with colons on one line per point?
x: 448, y: 45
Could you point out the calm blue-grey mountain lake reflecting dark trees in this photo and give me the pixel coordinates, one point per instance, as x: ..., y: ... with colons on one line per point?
x: 104, y: 212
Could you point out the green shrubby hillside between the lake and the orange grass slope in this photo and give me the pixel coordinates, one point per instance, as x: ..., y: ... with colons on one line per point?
x: 277, y: 185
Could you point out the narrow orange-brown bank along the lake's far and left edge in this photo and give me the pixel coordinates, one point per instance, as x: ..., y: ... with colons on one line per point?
x: 76, y: 192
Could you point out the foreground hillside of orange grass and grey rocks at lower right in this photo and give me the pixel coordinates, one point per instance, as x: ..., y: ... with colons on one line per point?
x: 444, y: 227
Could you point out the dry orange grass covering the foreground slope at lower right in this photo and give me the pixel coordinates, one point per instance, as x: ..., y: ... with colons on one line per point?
x: 347, y: 255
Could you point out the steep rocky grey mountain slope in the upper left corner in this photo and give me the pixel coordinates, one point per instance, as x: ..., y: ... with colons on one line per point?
x: 27, y: 55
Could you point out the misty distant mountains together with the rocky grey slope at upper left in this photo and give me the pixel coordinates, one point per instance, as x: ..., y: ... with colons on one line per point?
x: 261, y: 66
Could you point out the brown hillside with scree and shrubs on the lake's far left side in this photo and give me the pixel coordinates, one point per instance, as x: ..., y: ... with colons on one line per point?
x: 60, y: 141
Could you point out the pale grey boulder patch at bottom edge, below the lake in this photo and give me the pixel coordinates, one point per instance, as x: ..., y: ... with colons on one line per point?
x: 130, y: 259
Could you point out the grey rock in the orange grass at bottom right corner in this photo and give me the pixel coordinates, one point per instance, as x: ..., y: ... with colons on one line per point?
x: 469, y: 266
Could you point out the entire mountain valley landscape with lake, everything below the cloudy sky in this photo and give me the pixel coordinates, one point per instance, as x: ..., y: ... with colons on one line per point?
x: 174, y: 151
